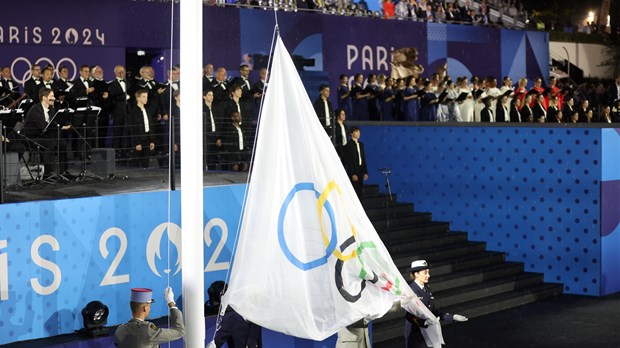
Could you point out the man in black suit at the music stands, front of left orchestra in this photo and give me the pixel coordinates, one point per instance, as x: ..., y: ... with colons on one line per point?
x: 36, y: 128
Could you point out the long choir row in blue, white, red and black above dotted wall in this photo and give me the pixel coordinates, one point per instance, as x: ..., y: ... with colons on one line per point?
x: 442, y: 99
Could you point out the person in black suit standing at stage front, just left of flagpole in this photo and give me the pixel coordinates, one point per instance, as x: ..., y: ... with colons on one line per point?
x: 142, y: 131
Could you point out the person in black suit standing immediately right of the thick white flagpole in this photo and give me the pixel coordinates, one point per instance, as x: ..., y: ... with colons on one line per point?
x: 212, y: 137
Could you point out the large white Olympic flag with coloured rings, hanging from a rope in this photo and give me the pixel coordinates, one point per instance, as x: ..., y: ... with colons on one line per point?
x: 308, y: 261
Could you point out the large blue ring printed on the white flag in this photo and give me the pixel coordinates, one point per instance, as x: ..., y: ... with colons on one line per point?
x: 305, y: 266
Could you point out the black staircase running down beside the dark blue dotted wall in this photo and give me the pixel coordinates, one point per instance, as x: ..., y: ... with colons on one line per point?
x: 465, y: 277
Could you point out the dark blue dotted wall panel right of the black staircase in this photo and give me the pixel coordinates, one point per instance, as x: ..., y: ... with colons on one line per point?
x: 547, y: 196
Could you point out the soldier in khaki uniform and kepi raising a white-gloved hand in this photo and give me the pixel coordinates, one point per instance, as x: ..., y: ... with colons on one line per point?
x: 139, y: 333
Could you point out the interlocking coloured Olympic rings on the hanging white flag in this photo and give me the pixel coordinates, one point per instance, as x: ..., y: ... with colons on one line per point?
x: 359, y: 252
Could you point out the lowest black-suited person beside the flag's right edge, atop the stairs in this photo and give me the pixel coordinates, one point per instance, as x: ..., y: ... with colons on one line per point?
x: 355, y: 161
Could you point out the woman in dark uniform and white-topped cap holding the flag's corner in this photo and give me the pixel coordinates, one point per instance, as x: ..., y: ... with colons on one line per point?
x: 414, y: 336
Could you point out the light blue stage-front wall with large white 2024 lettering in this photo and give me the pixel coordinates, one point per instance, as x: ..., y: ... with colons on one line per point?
x: 56, y: 256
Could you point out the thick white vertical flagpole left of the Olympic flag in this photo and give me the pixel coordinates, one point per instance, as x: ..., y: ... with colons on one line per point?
x: 191, y: 173
